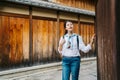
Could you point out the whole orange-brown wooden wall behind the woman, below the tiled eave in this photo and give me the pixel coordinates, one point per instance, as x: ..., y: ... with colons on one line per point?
x: 47, y: 27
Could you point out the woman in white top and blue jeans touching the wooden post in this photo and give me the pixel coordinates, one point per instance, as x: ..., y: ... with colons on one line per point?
x: 69, y: 46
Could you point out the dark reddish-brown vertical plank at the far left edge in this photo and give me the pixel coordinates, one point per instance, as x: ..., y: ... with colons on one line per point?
x: 5, y: 41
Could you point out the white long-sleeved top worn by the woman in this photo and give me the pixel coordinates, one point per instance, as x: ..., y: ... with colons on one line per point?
x: 70, y: 47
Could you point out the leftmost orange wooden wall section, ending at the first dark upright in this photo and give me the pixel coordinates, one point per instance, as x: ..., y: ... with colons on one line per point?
x: 14, y: 40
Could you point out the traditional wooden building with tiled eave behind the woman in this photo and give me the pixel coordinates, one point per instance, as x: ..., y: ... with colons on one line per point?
x: 30, y: 29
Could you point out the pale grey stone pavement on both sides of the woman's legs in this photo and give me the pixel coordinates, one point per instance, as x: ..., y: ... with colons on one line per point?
x: 88, y: 71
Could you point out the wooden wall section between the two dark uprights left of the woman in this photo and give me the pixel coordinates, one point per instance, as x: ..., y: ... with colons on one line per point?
x: 44, y: 40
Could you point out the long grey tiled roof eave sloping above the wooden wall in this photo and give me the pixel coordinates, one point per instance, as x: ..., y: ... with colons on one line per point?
x: 51, y: 5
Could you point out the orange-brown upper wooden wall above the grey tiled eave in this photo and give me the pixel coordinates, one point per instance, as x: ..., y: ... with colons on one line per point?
x: 82, y: 4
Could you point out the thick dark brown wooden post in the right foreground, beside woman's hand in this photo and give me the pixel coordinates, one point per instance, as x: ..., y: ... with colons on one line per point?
x: 107, y: 39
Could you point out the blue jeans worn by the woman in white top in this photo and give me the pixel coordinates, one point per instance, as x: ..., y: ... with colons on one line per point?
x: 70, y: 65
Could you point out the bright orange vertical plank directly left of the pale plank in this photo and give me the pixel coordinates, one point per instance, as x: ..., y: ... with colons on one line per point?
x: 19, y: 39
